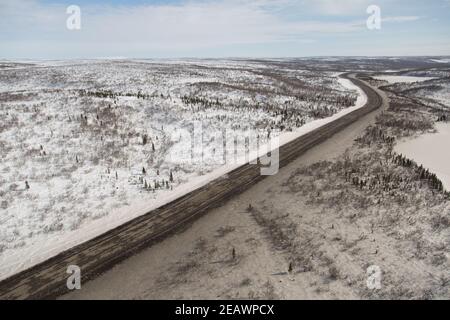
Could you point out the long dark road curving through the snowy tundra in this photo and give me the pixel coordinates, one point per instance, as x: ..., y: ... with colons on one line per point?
x: 48, y: 279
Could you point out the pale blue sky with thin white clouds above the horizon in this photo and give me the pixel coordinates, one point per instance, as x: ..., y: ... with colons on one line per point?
x: 33, y: 29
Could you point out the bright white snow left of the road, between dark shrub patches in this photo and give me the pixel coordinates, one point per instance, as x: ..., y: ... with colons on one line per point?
x: 70, y: 203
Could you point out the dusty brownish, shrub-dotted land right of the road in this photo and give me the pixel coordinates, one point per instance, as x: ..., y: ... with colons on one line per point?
x: 372, y: 196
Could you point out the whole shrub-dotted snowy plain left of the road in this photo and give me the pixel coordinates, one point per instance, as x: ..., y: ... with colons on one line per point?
x: 88, y: 145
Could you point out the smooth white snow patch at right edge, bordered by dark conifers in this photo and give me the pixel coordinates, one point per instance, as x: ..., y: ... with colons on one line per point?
x: 432, y: 151
